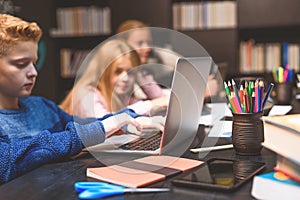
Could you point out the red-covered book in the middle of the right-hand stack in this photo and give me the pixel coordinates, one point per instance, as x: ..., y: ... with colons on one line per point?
x: 288, y: 167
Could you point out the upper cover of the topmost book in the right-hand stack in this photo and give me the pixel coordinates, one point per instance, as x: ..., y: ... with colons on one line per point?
x: 289, y: 122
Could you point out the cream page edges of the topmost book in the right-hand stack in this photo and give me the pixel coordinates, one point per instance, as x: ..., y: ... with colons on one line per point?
x: 282, y: 141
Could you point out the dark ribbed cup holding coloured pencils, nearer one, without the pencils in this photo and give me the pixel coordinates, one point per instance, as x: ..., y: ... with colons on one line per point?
x: 247, y: 133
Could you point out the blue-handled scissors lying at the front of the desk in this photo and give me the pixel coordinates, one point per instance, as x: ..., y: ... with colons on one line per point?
x: 96, y: 190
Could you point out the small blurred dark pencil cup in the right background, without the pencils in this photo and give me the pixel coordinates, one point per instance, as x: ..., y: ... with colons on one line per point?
x: 284, y: 93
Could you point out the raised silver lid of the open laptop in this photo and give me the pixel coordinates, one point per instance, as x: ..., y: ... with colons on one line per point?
x: 185, y: 106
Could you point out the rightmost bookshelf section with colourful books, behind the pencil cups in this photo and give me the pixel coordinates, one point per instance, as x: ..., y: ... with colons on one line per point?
x: 266, y: 38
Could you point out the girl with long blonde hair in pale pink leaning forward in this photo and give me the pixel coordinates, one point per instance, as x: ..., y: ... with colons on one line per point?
x: 107, y: 84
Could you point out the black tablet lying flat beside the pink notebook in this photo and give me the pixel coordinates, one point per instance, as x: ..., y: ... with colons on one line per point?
x: 220, y: 174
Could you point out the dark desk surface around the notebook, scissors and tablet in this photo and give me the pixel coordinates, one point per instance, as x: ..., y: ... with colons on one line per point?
x: 55, y: 181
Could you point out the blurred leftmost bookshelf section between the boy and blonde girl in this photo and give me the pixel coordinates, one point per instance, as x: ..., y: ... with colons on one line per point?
x: 79, y: 27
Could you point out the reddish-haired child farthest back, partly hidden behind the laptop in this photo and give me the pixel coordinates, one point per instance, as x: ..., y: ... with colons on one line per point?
x: 138, y: 35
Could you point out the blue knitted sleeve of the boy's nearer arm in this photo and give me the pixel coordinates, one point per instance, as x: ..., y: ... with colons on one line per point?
x: 22, y: 155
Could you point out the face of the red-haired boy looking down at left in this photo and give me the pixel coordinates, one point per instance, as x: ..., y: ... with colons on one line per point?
x: 17, y: 70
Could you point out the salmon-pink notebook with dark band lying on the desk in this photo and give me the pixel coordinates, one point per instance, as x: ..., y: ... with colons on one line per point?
x: 143, y: 171
